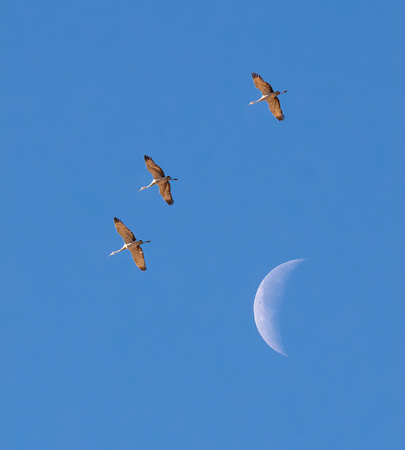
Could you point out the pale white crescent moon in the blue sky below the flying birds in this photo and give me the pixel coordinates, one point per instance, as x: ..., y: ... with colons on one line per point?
x: 268, y: 301
